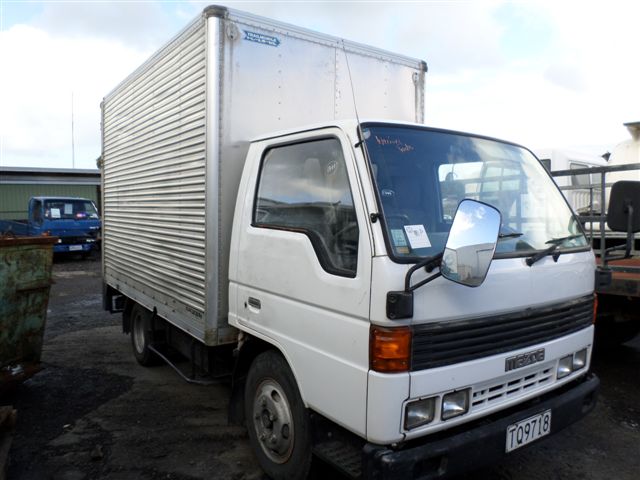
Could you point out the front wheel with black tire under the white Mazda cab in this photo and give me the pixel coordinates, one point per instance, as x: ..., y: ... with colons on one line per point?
x: 277, y: 420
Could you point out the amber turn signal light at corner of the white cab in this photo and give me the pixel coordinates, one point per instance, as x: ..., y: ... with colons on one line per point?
x: 389, y: 349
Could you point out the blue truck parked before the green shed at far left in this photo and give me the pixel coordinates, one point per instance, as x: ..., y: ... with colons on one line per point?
x: 75, y: 221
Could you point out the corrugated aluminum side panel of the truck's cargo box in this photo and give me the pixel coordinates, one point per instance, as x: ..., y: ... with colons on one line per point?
x: 154, y: 182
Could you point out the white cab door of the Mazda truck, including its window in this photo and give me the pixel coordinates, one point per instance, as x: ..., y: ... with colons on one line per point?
x: 304, y: 266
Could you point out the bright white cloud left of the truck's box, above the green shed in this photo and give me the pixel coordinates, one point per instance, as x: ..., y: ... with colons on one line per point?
x: 45, y: 70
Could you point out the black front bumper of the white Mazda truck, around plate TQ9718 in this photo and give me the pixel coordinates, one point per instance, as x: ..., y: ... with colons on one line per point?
x: 483, y: 443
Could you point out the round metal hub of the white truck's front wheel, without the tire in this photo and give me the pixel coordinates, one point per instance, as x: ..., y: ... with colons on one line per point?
x: 272, y: 421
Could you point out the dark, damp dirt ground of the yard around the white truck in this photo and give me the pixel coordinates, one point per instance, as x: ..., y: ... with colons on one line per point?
x: 94, y: 413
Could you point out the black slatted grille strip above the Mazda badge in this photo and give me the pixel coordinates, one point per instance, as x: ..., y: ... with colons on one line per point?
x: 445, y: 343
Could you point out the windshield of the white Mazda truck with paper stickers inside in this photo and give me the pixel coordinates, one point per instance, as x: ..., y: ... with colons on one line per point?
x: 421, y: 175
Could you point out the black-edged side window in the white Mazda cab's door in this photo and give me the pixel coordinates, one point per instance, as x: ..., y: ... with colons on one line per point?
x: 304, y: 187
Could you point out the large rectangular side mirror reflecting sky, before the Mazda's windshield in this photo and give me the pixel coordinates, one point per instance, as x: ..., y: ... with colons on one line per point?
x: 471, y: 244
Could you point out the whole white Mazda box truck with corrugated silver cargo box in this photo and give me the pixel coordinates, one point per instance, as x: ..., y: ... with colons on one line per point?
x: 403, y: 301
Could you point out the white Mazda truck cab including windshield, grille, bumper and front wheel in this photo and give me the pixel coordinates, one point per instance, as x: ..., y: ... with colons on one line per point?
x: 340, y: 239
